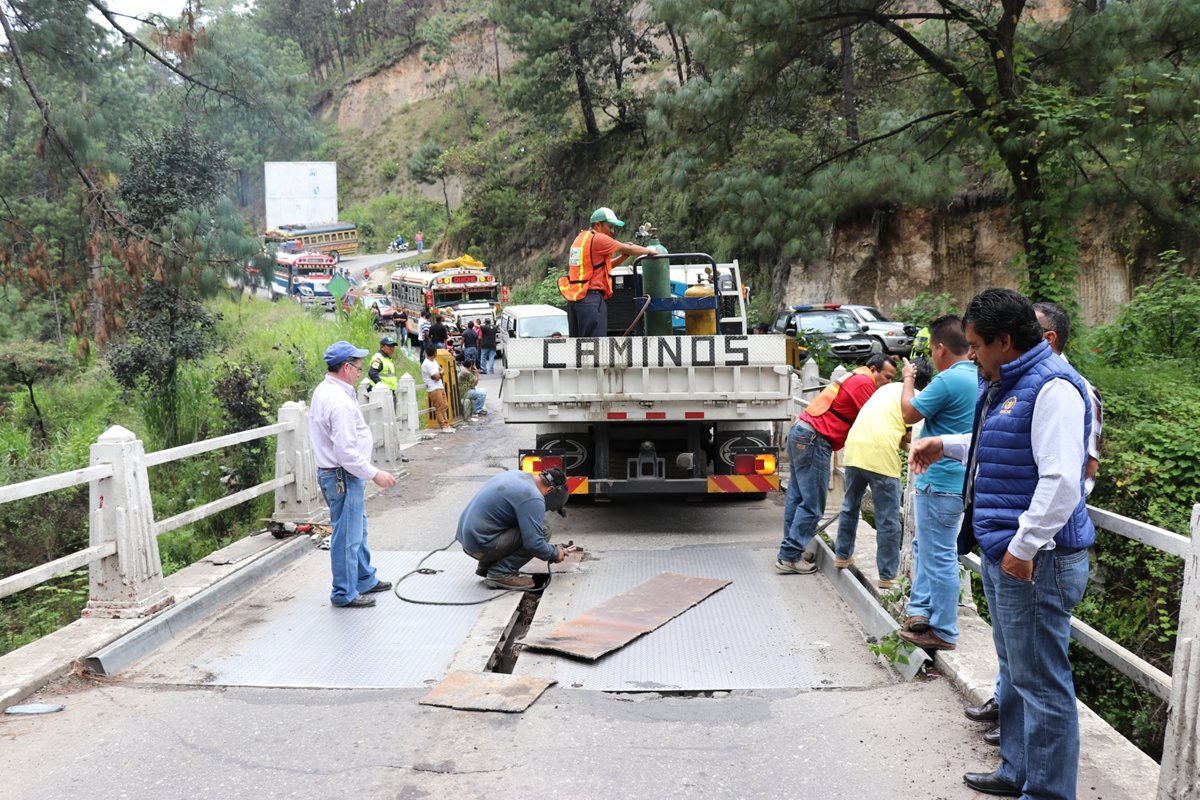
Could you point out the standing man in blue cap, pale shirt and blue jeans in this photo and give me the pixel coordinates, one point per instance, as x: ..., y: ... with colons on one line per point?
x: 343, y: 448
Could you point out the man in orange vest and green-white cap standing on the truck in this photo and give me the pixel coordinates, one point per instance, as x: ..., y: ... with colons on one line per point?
x: 587, y: 285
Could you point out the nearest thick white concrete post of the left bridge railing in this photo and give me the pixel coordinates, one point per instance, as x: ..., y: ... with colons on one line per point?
x: 129, y: 584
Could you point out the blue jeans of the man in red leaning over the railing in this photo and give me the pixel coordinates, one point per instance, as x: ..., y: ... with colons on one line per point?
x: 808, y: 485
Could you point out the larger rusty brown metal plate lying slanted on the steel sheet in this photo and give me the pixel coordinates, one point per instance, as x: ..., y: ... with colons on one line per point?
x: 623, y: 618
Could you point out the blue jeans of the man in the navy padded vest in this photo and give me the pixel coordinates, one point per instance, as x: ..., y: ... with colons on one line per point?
x: 1031, y: 628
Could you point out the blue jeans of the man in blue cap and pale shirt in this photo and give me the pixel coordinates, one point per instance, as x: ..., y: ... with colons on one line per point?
x: 349, y: 555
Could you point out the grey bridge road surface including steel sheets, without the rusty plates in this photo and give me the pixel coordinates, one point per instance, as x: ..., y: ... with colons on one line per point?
x: 807, y: 711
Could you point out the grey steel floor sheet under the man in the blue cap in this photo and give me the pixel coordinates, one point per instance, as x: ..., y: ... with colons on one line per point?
x: 287, y: 639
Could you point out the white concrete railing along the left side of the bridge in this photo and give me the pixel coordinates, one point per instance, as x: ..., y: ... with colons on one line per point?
x: 123, y: 557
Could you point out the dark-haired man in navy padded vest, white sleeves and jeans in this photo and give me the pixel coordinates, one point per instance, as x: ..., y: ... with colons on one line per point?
x: 1027, y: 462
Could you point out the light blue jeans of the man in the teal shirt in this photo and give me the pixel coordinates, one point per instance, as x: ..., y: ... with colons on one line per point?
x: 935, y: 588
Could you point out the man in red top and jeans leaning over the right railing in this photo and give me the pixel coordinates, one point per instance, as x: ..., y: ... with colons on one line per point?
x: 819, y: 431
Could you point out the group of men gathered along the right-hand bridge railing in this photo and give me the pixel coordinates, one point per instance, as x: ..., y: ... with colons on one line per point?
x: 1007, y: 452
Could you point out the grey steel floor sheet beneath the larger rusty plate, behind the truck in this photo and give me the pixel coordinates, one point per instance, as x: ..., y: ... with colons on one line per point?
x: 764, y: 631
